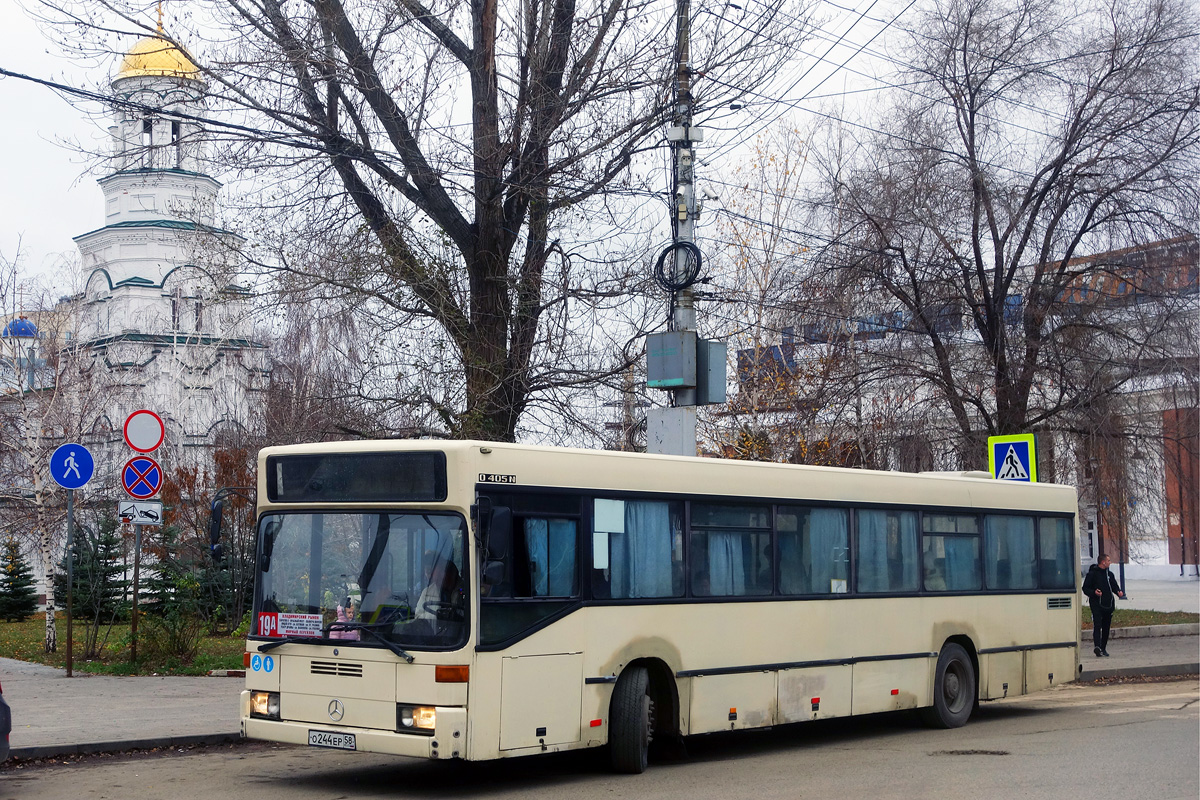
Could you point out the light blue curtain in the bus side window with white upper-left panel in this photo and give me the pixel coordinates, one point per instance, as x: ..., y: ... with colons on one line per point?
x: 641, y: 557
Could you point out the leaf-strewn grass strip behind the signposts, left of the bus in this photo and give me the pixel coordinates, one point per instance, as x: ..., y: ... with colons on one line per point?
x: 27, y: 642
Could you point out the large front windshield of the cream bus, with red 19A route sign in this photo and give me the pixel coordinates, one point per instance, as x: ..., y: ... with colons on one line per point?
x: 367, y: 579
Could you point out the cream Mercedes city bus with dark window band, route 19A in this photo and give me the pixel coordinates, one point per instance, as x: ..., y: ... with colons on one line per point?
x: 471, y: 600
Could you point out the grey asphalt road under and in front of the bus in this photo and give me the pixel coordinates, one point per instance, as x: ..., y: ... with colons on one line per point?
x: 1131, y: 741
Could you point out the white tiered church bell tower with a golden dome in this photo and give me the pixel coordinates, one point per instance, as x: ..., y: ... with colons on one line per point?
x: 161, y: 312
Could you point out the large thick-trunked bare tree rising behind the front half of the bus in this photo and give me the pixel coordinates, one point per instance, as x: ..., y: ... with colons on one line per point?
x: 449, y: 152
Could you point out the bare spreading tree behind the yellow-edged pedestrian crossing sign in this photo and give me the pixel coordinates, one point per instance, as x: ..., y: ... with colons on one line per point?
x: 1039, y: 133
